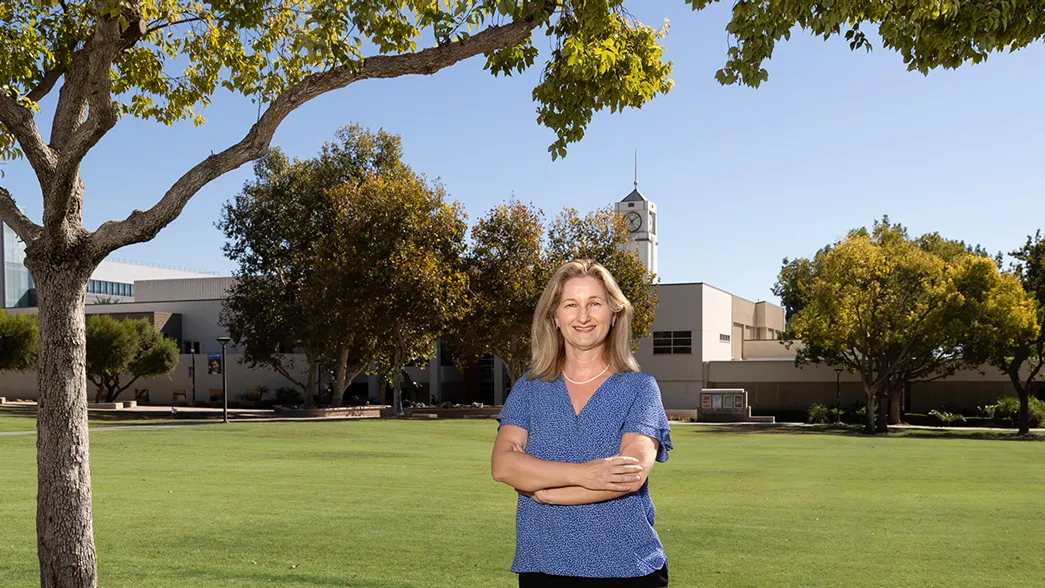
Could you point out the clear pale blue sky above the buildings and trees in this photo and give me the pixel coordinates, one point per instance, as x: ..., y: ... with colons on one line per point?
x: 742, y: 178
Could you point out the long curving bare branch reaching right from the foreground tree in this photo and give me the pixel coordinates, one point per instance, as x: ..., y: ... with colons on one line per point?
x: 142, y: 227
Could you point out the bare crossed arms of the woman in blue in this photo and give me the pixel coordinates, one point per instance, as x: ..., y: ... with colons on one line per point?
x: 560, y: 483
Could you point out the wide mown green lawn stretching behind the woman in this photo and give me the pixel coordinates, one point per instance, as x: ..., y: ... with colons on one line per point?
x: 410, y: 504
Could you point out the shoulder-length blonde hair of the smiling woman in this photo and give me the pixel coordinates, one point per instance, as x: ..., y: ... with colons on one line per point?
x: 549, y: 354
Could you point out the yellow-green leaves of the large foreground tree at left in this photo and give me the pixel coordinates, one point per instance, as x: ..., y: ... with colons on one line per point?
x: 262, y: 49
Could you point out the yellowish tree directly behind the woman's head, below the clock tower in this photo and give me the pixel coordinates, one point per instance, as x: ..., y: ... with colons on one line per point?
x: 602, y: 236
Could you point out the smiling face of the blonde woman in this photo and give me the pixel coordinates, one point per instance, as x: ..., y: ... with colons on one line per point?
x: 584, y: 316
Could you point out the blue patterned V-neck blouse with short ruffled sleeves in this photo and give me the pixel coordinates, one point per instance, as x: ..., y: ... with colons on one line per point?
x: 611, y: 539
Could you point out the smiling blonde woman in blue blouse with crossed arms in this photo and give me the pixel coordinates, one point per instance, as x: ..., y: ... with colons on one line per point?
x: 578, y: 437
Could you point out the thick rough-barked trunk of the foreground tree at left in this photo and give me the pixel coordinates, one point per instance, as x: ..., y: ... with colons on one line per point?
x: 65, y: 533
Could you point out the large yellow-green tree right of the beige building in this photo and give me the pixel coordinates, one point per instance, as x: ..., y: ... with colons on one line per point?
x: 881, y: 305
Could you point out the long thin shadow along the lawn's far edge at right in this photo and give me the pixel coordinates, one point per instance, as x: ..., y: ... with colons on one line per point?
x: 857, y: 431
